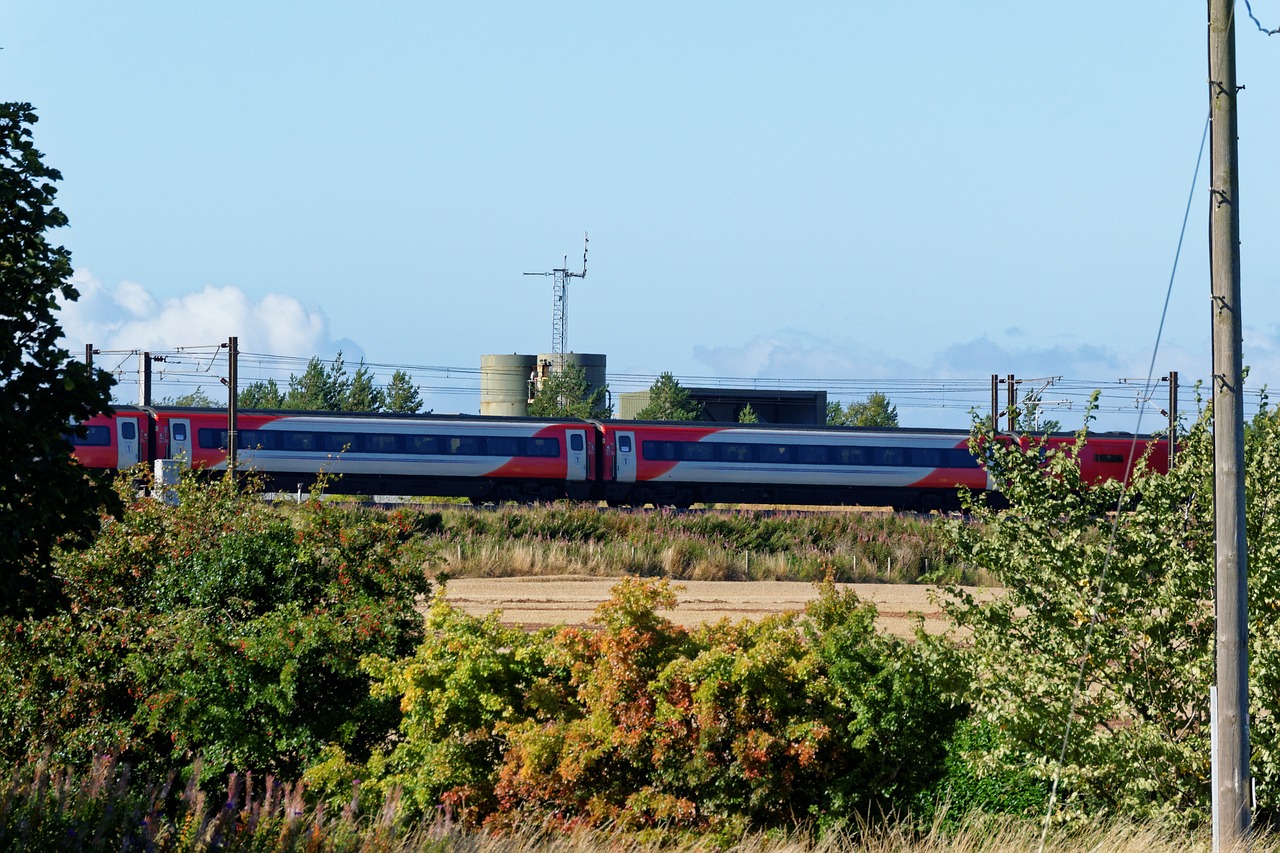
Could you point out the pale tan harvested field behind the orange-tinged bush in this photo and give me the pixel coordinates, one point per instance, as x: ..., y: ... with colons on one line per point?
x: 572, y: 600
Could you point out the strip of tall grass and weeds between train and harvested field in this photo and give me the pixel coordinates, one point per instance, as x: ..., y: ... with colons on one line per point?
x: 738, y: 545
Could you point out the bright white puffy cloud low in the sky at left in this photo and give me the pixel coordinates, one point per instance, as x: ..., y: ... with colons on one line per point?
x: 130, y: 318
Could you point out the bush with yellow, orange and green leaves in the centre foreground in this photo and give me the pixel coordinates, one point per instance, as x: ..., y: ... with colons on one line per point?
x: 639, y: 723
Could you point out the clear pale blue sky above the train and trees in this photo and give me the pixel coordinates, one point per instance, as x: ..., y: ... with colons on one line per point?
x: 856, y: 197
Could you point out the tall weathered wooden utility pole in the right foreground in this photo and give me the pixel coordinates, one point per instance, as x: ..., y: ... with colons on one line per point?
x: 1232, y: 808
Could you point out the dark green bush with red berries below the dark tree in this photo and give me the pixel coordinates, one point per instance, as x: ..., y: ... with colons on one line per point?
x: 223, y: 628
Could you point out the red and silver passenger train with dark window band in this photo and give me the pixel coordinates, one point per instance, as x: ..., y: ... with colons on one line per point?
x: 623, y: 463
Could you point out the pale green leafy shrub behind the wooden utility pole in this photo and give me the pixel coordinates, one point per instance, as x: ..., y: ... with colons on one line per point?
x: 1108, y: 627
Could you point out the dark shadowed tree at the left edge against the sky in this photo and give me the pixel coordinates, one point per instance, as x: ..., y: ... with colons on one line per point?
x: 45, y: 498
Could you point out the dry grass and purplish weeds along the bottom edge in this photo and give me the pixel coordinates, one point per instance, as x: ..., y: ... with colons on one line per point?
x: 107, y: 809
